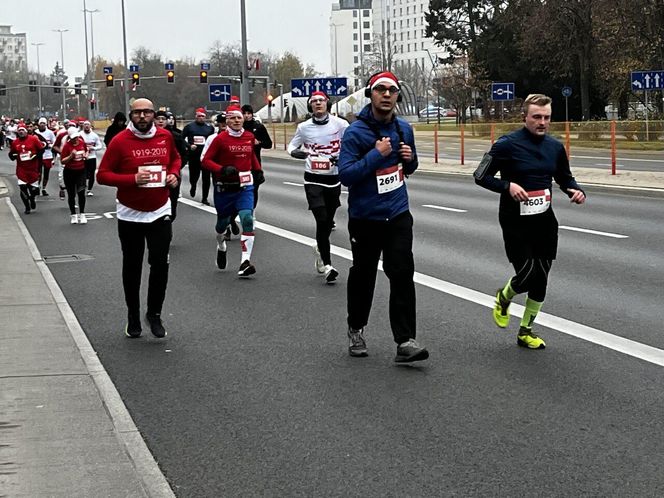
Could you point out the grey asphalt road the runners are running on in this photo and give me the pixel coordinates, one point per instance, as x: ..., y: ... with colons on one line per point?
x: 253, y: 393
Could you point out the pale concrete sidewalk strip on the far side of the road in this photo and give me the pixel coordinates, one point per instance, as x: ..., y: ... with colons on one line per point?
x: 642, y: 180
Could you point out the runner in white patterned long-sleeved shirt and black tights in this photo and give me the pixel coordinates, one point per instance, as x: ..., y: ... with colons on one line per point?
x: 318, y: 140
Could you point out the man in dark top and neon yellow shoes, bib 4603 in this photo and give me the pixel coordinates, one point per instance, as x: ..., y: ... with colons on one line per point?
x: 528, y: 159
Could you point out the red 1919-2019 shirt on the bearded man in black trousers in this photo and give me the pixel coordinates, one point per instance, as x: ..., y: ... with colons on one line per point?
x: 125, y: 154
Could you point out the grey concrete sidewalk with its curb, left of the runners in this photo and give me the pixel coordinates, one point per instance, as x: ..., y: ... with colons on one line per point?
x: 64, y: 430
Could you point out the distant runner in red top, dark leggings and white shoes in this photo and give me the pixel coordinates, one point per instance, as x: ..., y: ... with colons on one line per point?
x: 73, y: 155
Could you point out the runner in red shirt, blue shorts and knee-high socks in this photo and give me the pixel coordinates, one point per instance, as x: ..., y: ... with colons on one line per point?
x: 232, y: 160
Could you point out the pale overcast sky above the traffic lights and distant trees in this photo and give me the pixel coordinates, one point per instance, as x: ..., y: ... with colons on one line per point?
x: 173, y: 29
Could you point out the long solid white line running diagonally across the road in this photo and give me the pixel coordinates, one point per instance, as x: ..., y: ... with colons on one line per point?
x: 578, y: 330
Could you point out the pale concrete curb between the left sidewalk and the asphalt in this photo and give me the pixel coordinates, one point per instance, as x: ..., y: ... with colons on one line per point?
x: 148, y: 472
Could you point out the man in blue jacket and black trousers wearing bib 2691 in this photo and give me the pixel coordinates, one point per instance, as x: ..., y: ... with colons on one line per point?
x: 377, y: 153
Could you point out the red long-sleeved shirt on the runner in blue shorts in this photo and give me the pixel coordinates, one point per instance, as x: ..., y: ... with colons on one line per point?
x: 226, y: 150
